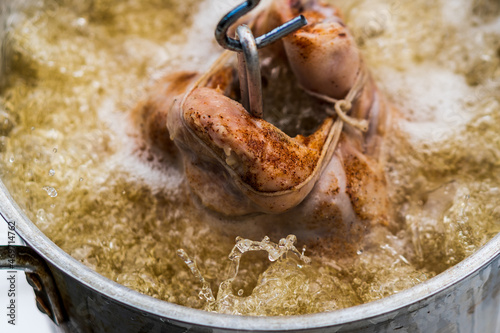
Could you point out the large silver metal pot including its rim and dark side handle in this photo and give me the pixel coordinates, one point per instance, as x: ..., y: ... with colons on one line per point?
x: 465, y: 298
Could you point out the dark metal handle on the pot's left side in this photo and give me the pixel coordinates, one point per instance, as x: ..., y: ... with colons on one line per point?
x: 38, y: 275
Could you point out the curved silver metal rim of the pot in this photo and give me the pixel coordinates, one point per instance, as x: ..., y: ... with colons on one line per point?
x: 377, y: 311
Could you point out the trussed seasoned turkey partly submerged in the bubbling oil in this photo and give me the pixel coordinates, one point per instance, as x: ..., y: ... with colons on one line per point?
x: 325, y: 186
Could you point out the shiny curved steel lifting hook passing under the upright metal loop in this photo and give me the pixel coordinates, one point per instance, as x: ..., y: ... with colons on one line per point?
x: 234, y: 15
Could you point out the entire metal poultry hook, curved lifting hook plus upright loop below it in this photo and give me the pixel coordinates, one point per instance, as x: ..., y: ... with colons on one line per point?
x: 248, y: 57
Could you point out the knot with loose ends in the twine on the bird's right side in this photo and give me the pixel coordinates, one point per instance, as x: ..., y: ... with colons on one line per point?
x: 342, y: 106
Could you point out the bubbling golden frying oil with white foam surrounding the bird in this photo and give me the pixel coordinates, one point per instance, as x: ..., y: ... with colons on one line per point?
x: 68, y: 155
